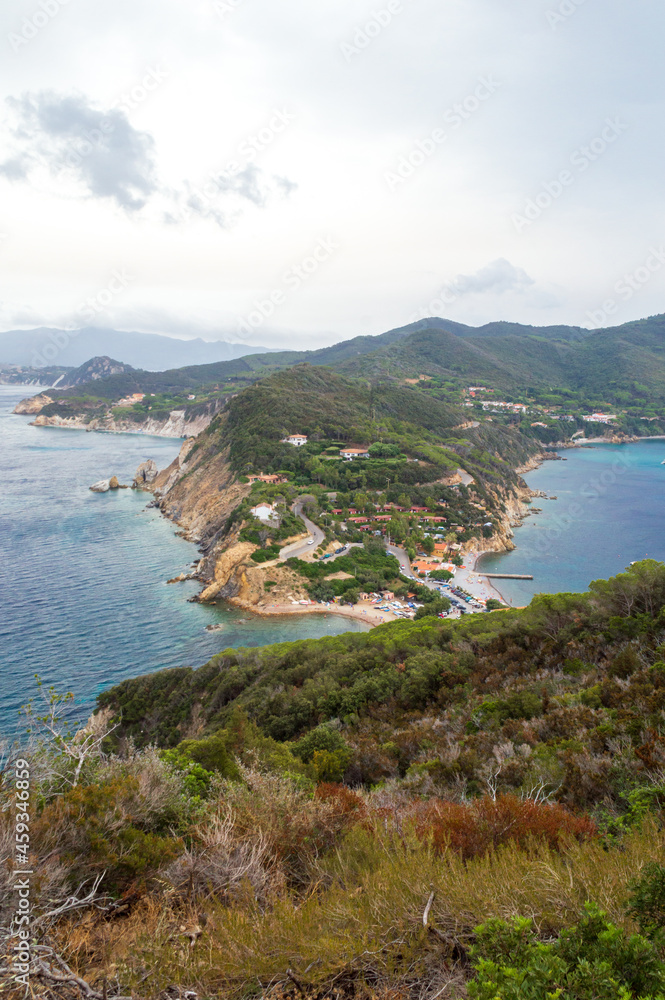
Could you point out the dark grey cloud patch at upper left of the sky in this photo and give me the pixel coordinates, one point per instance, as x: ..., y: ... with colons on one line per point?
x: 101, y: 150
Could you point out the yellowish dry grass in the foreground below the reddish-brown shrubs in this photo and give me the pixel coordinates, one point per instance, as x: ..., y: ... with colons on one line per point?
x: 362, y: 921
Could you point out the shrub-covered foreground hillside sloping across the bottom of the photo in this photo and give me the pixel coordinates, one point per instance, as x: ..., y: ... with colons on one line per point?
x: 471, y: 808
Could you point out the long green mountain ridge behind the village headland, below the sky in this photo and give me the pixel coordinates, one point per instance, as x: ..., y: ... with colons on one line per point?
x: 510, y: 357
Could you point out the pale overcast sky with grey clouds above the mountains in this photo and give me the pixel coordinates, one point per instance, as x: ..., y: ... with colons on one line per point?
x: 293, y: 174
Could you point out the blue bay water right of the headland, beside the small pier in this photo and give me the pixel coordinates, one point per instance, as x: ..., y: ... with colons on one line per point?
x: 610, y: 511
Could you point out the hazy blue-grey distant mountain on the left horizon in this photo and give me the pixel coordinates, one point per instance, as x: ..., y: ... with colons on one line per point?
x: 47, y: 346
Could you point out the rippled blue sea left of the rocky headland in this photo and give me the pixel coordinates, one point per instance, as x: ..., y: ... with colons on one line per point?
x: 83, y: 597
